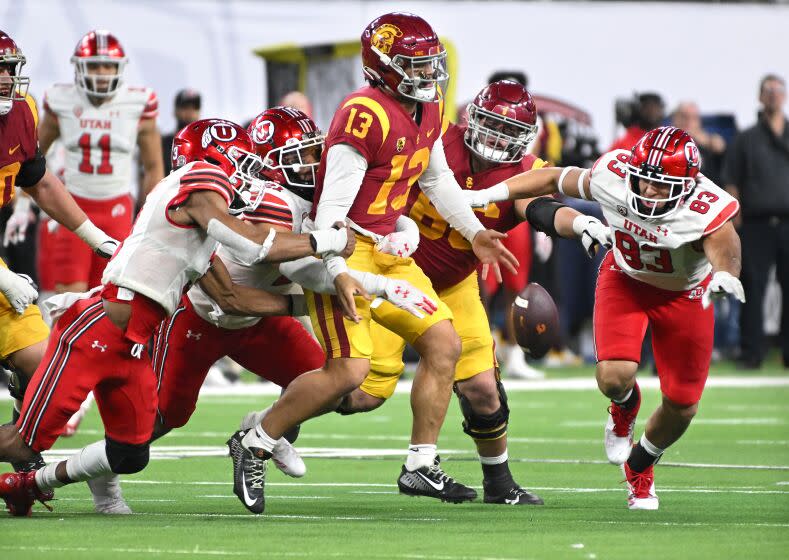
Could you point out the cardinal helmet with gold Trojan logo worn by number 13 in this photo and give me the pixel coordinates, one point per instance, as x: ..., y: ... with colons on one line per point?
x: 402, y: 53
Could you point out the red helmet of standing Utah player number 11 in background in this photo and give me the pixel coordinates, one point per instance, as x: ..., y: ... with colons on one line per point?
x: 96, y: 48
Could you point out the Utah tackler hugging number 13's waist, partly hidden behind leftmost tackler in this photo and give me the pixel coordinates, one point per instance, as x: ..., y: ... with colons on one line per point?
x: 226, y: 320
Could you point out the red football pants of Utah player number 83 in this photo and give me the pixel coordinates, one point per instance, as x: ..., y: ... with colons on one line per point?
x: 682, y: 331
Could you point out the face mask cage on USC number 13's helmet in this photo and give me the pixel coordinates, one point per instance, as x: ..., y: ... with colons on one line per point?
x: 423, y: 78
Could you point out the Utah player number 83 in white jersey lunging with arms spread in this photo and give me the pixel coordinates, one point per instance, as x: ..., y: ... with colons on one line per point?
x: 675, y: 248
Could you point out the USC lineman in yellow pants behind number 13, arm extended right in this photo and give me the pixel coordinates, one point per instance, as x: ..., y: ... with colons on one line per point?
x: 493, y: 147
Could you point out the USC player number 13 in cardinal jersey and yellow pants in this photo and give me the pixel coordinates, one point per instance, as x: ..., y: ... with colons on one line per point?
x: 382, y: 139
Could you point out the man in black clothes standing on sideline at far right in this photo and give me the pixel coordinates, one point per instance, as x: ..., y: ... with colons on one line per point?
x: 757, y: 172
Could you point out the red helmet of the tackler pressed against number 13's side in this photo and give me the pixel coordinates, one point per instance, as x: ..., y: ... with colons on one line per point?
x: 290, y: 145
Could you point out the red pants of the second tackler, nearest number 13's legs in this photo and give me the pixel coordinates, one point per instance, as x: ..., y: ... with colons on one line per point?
x: 278, y: 349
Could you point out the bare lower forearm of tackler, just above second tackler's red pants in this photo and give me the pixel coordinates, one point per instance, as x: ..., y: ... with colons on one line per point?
x: 234, y: 299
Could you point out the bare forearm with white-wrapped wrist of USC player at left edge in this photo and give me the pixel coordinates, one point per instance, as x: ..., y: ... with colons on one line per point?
x: 53, y: 198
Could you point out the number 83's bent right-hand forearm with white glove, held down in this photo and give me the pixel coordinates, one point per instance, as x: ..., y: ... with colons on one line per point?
x: 722, y: 248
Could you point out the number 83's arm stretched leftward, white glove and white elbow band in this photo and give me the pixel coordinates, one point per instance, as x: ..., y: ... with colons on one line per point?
x: 533, y: 183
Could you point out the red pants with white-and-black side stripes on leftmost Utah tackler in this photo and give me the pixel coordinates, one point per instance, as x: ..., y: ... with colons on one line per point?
x: 86, y: 352
